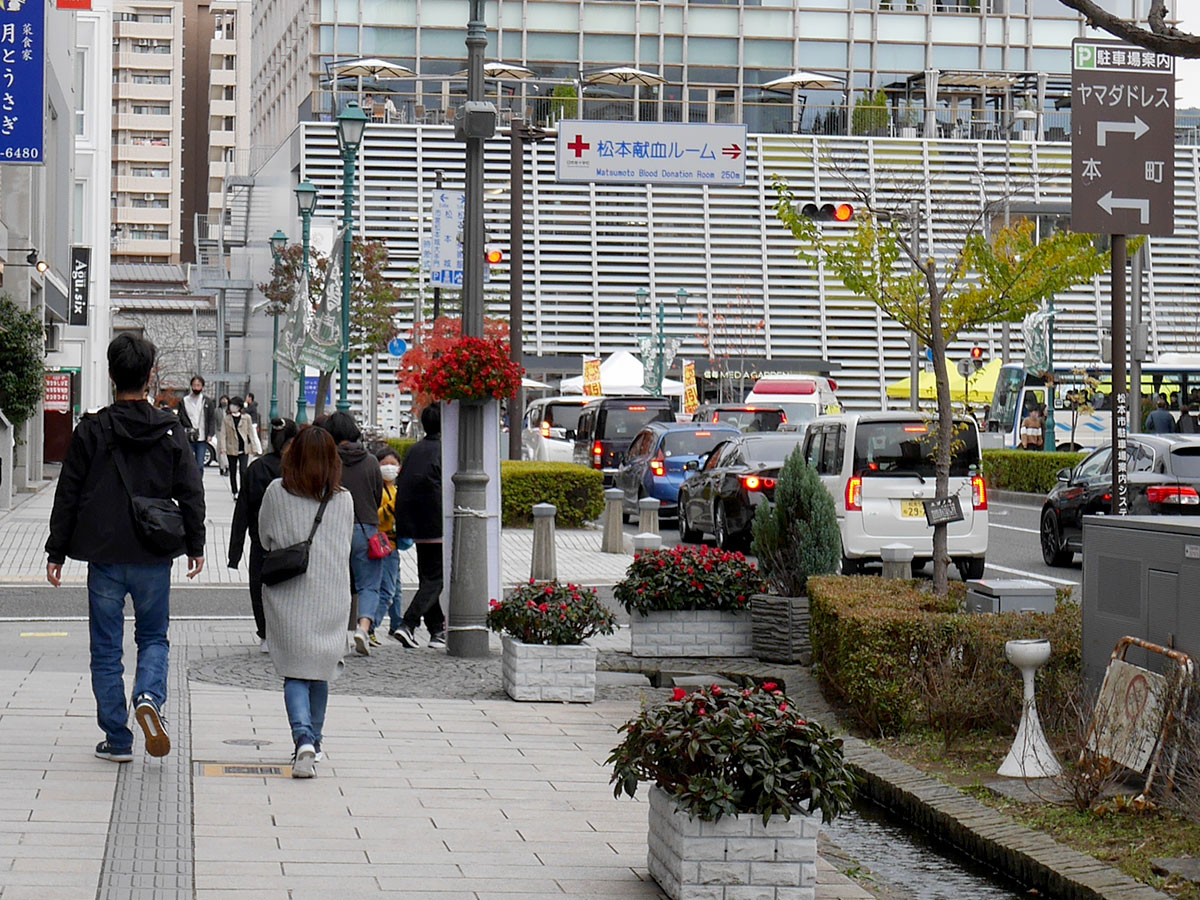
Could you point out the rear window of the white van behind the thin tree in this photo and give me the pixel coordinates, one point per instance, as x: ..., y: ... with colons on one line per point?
x: 910, y: 447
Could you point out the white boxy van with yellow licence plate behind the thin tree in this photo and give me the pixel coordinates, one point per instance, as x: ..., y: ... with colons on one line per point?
x: 879, y: 469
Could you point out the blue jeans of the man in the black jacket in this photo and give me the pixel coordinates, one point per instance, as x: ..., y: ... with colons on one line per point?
x: 149, y: 587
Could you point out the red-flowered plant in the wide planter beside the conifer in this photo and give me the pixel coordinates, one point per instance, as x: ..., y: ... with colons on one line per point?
x: 689, y: 579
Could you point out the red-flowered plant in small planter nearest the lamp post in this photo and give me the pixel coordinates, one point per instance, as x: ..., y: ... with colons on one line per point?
x: 549, y: 613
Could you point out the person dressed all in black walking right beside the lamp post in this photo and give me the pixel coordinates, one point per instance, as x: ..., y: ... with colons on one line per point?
x: 419, y: 517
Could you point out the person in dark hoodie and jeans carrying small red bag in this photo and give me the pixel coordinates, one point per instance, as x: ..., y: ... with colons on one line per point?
x: 362, y: 478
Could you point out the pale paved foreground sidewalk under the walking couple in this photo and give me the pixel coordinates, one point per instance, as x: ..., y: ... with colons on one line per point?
x: 418, y: 797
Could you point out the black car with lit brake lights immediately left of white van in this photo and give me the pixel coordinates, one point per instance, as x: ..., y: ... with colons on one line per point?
x: 730, y: 484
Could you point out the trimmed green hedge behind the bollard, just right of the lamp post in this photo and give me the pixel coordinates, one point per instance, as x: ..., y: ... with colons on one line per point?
x: 575, y: 490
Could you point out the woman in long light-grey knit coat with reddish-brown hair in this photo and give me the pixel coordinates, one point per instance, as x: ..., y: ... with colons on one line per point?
x: 307, y: 615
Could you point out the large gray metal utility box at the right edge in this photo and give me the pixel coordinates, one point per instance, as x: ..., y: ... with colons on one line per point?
x: 1142, y: 578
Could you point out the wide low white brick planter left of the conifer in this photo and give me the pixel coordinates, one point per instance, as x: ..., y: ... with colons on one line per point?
x: 692, y: 633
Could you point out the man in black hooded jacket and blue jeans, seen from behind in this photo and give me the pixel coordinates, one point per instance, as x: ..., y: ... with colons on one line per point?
x: 129, y: 452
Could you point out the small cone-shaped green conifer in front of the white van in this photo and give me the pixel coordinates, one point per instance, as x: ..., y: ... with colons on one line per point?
x: 799, y: 537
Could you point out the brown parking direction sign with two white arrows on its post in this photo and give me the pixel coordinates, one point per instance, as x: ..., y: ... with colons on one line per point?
x: 1123, y: 147
